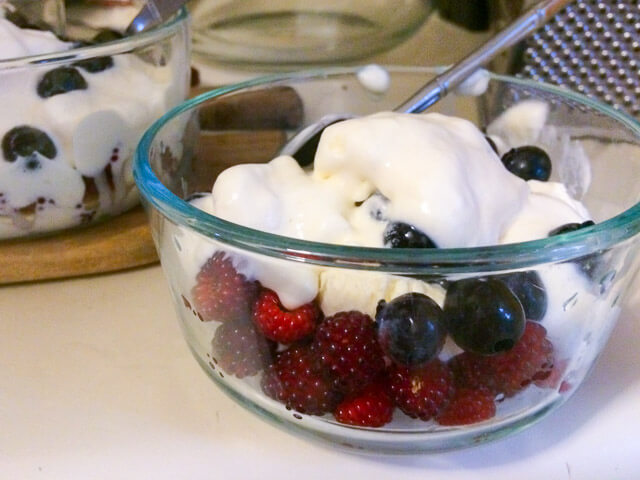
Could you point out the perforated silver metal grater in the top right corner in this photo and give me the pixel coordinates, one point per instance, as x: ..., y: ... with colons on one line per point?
x: 590, y: 46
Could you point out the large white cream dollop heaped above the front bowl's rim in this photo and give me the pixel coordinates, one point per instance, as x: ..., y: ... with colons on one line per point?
x: 435, y: 172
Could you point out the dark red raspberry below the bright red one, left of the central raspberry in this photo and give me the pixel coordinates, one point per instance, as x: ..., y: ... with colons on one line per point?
x: 295, y: 380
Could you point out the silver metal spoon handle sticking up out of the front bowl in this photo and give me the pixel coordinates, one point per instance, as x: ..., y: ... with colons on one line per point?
x: 437, y: 88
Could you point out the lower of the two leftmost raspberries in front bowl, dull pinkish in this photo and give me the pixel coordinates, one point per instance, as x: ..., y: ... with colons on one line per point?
x: 240, y: 349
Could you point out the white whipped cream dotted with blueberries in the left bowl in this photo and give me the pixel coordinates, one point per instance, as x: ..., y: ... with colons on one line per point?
x: 94, y: 131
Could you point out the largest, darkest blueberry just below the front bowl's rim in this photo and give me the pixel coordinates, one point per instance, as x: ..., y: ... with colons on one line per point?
x: 483, y: 316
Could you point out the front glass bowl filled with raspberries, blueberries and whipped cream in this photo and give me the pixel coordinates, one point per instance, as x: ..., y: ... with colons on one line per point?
x: 424, y: 282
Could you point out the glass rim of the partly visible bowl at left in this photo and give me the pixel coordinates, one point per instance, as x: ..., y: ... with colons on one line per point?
x: 123, y: 45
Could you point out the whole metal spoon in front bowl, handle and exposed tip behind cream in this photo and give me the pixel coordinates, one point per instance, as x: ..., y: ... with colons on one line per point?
x: 302, y: 145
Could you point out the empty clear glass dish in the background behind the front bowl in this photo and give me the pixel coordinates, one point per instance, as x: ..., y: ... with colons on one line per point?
x: 292, y: 32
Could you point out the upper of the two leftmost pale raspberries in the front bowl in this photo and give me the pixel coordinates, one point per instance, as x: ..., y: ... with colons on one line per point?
x: 221, y: 293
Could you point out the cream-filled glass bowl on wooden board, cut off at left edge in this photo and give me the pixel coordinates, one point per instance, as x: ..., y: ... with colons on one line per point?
x: 72, y: 118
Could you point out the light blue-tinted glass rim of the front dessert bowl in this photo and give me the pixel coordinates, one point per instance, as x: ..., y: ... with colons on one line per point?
x: 436, y: 262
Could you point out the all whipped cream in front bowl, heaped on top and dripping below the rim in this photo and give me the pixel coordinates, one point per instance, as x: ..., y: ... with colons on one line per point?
x: 435, y: 172
